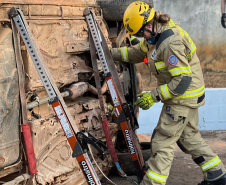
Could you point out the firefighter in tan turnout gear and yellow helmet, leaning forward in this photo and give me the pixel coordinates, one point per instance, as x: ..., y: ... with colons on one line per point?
x: 173, y: 59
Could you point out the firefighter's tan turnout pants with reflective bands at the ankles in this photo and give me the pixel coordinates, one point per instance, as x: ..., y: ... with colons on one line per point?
x: 179, y: 124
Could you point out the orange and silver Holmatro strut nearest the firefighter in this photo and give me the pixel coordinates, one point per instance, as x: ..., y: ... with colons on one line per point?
x: 126, y: 117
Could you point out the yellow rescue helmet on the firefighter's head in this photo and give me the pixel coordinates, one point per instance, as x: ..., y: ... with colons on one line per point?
x: 136, y: 16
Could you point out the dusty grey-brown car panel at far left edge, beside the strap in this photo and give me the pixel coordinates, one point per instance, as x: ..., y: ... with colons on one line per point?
x: 9, y: 102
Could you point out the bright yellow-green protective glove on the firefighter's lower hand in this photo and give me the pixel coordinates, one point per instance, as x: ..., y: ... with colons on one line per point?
x: 145, y: 101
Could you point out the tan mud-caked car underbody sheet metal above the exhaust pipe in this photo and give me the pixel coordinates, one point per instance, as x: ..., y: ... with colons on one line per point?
x: 53, y: 38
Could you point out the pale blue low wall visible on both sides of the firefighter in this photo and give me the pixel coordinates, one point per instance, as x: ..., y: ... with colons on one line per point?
x: 212, y: 116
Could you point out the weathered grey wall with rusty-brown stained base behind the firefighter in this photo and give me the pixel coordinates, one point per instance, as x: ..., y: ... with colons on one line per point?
x: 202, y: 20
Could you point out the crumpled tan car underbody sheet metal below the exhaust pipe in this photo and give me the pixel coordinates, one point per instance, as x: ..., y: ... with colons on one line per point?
x: 54, y: 155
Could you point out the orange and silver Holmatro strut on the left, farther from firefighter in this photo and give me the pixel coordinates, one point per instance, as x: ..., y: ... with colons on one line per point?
x: 77, y: 140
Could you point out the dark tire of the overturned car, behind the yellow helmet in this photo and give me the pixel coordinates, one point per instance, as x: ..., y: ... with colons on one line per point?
x: 113, y: 10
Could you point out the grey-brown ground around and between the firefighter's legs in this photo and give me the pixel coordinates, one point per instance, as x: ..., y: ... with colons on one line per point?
x: 184, y: 171
